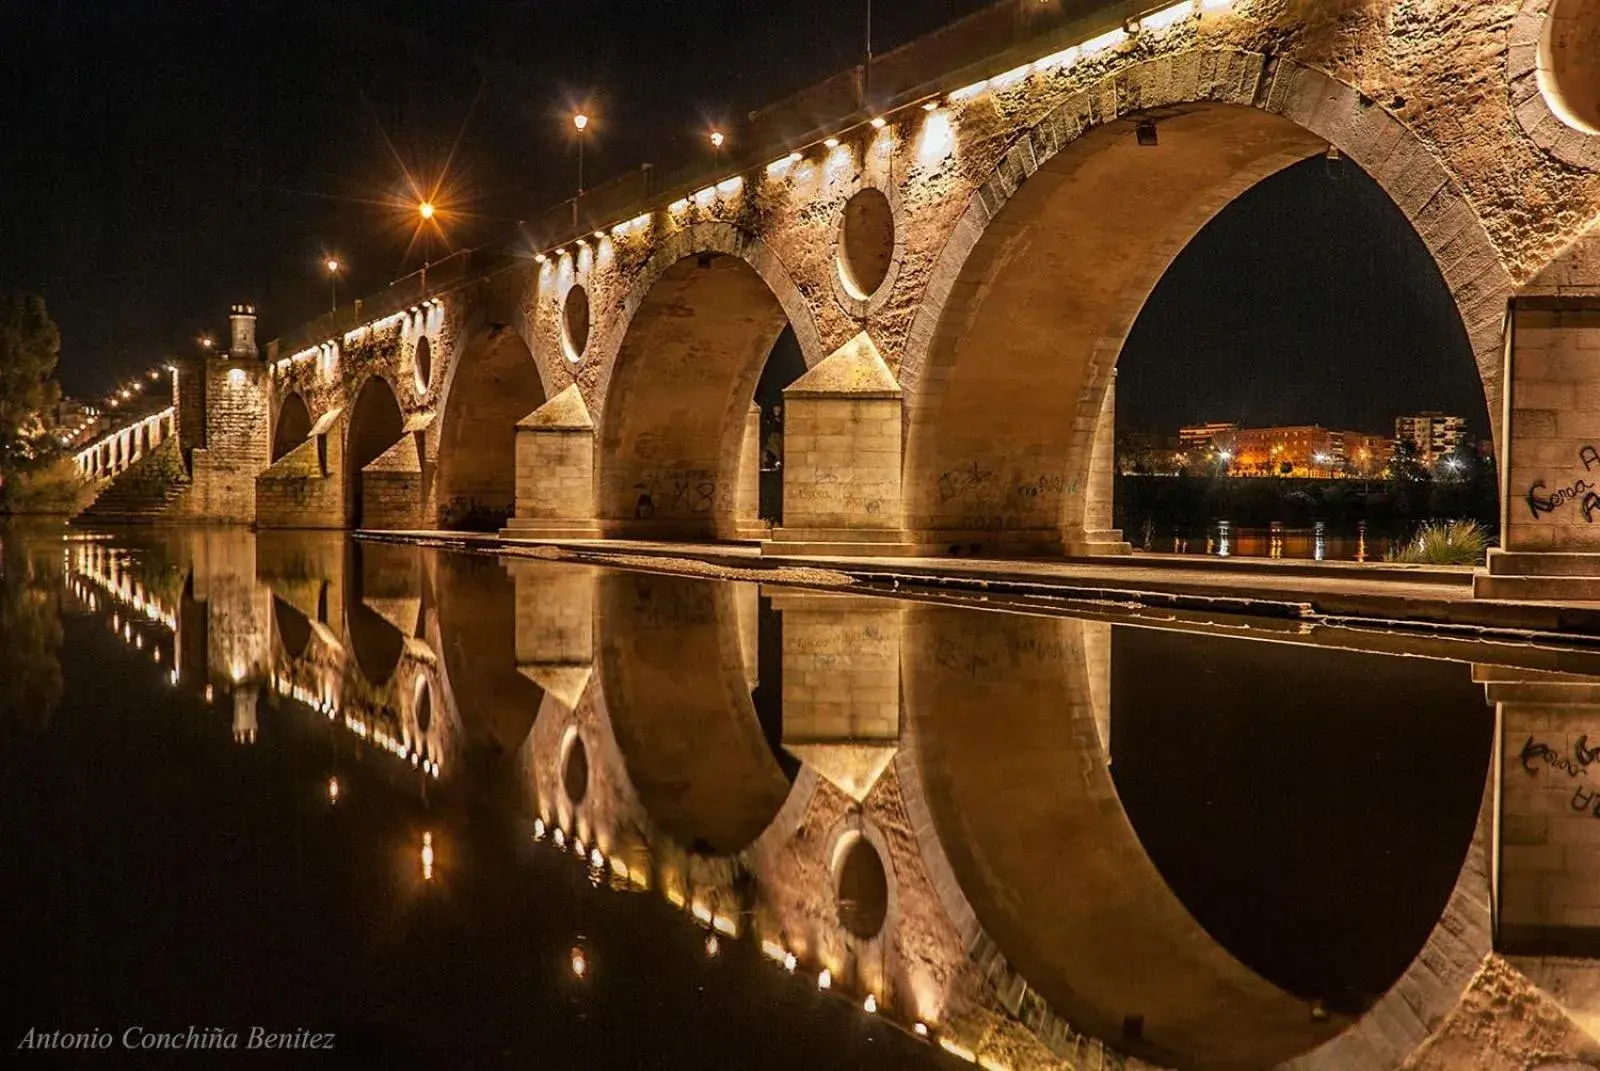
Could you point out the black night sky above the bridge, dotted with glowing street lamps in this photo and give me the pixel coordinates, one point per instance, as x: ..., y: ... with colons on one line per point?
x: 161, y: 161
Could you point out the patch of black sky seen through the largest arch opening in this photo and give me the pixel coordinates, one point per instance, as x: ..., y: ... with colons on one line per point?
x: 1311, y: 300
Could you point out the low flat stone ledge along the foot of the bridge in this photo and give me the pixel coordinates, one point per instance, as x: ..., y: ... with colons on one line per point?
x: 1426, y: 598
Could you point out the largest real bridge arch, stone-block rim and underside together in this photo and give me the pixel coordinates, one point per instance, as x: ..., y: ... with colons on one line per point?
x: 1033, y: 297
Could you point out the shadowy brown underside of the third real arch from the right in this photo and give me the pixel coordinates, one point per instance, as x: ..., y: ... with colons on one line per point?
x: 494, y: 385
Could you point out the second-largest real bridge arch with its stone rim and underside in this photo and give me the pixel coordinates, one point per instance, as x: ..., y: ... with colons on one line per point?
x: 678, y: 374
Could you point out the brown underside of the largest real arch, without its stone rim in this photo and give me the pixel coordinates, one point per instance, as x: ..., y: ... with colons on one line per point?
x: 1010, y: 395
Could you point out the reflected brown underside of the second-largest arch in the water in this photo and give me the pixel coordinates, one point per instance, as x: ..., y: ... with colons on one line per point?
x: 692, y: 742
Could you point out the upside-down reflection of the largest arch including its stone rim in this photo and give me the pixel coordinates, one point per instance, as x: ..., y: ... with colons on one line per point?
x: 1071, y: 949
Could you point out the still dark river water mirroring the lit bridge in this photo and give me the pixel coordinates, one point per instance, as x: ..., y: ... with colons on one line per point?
x: 462, y: 811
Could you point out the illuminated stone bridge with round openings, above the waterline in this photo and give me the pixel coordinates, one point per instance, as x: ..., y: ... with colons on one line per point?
x: 959, y: 243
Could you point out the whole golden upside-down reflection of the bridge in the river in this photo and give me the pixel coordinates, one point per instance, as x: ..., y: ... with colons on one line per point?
x: 1030, y: 835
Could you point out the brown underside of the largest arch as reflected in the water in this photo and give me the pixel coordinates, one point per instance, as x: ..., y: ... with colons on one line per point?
x: 1095, y: 929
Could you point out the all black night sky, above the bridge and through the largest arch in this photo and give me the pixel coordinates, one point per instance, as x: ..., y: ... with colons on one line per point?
x: 162, y: 162
